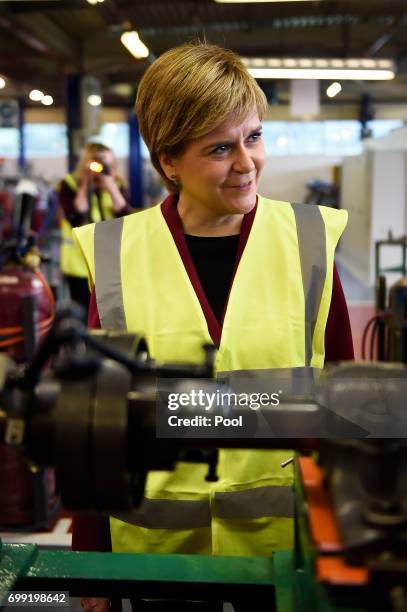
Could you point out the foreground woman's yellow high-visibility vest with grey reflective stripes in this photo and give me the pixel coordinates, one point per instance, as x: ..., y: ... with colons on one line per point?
x: 275, y: 319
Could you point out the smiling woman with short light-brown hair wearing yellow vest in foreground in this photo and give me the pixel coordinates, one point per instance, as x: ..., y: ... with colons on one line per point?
x: 216, y: 262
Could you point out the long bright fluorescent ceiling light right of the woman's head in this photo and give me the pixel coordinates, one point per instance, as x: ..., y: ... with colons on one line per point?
x: 320, y: 68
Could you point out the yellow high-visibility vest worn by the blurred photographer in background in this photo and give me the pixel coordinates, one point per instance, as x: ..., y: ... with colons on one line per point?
x: 71, y: 260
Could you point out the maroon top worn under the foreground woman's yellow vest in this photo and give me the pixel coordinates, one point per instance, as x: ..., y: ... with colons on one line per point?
x: 92, y: 532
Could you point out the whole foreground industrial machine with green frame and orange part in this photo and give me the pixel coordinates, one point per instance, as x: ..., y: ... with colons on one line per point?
x: 95, y: 408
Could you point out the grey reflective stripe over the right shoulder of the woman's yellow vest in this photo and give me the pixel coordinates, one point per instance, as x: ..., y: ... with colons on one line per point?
x: 312, y: 245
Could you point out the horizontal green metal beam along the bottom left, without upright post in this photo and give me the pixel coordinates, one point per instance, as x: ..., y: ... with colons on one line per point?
x: 25, y: 567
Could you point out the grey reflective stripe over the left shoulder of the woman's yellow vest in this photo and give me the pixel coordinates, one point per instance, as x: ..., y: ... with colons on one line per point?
x: 108, y: 282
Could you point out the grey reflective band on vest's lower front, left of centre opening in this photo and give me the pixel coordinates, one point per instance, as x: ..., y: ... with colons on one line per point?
x: 169, y: 514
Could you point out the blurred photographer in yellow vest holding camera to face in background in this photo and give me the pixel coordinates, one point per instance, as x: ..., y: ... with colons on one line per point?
x: 92, y: 192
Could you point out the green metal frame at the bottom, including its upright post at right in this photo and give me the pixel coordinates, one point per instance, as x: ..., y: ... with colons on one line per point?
x: 286, y: 581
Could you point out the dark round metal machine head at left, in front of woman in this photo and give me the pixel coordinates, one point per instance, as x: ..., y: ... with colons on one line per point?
x: 92, y: 415
